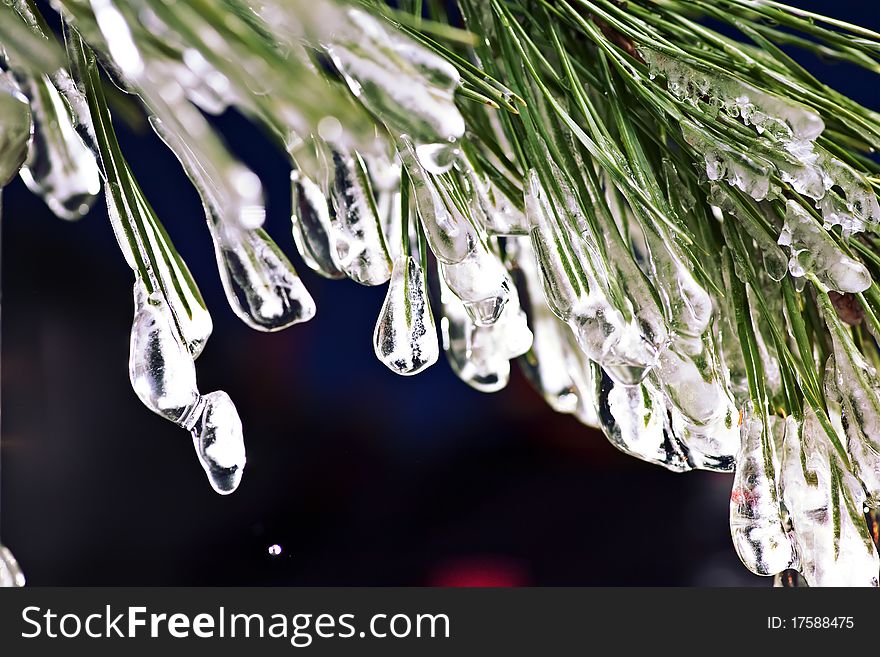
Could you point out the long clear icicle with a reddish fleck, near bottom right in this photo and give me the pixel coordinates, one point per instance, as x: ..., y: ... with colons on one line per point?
x: 755, y: 513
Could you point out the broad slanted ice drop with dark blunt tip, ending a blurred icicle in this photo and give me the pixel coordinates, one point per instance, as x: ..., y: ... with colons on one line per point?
x: 261, y: 284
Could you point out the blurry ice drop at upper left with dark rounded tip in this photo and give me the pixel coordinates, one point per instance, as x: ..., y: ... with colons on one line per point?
x: 60, y: 167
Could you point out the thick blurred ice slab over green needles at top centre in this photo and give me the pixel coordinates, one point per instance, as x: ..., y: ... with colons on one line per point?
x: 409, y: 88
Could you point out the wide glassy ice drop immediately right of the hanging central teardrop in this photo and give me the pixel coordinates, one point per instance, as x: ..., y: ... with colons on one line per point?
x: 480, y: 355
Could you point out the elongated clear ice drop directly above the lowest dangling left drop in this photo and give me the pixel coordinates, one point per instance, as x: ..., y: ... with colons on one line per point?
x: 160, y: 366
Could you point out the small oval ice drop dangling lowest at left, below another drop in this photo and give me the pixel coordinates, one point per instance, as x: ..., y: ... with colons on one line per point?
x: 219, y: 441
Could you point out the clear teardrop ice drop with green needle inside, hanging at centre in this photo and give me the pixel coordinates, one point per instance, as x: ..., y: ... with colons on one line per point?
x: 405, y: 339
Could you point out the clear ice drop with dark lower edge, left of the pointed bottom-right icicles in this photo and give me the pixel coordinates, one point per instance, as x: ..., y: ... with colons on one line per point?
x: 634, y: 419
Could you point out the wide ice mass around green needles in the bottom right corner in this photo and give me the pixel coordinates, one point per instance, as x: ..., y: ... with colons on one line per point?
x: 825, y: 502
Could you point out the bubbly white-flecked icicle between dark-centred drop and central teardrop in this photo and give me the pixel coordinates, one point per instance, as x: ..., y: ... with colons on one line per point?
x: 359, y: 244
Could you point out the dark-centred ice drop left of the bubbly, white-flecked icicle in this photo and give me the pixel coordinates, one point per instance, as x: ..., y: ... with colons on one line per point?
x: 311, y: 226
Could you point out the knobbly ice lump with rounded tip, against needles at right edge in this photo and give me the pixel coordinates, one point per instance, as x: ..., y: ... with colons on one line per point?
x: 814, y: 252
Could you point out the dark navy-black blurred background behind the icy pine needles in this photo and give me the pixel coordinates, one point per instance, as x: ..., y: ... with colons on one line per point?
x: 355, y: 476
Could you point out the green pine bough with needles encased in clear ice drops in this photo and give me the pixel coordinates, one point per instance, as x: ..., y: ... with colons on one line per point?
x: 672, y: 233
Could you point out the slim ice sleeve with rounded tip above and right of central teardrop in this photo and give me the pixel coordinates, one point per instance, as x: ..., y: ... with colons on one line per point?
x: 449, y: 232
